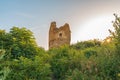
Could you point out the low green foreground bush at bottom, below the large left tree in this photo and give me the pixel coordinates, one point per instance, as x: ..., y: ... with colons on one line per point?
x: 27, y: 69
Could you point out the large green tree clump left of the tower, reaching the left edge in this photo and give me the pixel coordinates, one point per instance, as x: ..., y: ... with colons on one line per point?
x: 18, y: 42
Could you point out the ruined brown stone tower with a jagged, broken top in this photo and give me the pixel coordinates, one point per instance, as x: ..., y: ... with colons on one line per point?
x: 59, y: 36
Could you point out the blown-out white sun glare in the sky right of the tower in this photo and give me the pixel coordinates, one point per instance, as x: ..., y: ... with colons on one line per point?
x: 95, y: 28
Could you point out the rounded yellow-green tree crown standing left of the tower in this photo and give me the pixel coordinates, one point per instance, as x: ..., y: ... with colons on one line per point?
x: 24, y: 43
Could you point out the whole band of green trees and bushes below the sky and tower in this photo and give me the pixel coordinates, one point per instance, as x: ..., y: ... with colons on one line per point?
x: 22, y: 59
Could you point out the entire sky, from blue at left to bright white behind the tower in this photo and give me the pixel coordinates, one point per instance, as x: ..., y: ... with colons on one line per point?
x: 88, y: 19
